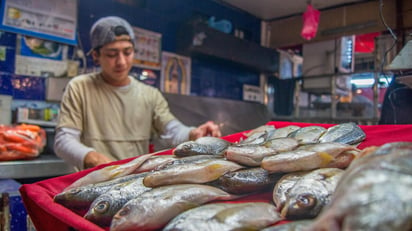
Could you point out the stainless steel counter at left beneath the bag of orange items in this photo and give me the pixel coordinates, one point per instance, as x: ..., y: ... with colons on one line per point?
x: 46, y: 165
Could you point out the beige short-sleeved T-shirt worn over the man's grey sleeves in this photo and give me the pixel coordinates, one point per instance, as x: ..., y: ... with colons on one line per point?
x: 115, y: 121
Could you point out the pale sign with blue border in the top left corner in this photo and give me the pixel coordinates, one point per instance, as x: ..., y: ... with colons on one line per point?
x: 54, y: 20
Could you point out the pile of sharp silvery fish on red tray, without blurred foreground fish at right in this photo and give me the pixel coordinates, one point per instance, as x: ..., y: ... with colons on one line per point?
x: 301, y: 166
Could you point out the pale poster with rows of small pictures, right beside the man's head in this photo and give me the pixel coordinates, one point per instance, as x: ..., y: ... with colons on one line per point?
x: 148, y: 48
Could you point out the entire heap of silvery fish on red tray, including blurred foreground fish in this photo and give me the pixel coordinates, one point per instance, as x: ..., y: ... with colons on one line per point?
x: 316, y: 176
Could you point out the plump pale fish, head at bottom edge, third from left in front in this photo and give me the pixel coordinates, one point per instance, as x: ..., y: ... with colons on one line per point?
x: 155, y: 208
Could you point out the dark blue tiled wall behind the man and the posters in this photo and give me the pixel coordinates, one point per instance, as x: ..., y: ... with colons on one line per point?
x: 161, y: 16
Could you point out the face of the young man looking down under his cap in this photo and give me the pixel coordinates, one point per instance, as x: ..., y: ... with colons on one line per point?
x: 116, y: 60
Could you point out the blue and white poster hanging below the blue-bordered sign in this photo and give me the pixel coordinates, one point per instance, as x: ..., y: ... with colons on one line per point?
x: 38, y: 57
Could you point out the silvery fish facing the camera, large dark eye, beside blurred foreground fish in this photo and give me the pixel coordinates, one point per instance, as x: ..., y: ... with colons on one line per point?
x: 302, y: 195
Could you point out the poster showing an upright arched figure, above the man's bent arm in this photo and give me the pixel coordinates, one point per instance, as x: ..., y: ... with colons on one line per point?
x: 175, y: 73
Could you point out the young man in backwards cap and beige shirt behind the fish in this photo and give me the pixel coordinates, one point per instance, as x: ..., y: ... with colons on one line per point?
x: 109, y: 115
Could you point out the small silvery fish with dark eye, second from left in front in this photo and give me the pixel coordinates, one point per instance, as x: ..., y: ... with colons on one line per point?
x: 104, y: 207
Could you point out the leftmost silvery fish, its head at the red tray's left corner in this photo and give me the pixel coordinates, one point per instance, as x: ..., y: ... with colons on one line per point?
x: 83, y: 196
